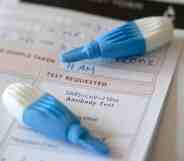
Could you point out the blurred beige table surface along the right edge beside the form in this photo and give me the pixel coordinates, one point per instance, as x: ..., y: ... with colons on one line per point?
x: 169, y: 140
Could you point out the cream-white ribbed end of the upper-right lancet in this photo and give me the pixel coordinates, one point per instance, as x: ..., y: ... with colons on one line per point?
x: 156, y: 31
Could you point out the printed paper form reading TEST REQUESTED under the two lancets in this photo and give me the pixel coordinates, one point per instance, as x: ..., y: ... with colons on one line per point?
x: 120, y: 101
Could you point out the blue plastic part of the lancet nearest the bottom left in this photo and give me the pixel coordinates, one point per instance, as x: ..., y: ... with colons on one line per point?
x: 53, y: 119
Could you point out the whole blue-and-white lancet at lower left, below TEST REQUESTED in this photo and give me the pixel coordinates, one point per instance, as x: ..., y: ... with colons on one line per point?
x: 47, y: 115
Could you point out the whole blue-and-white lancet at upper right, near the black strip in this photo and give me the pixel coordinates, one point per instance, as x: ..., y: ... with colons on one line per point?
x: 134, y: 38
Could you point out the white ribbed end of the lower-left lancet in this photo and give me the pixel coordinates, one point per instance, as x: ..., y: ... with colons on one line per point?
x: 16, y: 97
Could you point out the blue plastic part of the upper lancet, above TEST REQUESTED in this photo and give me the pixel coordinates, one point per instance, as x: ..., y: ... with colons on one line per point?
x: 122, y: 42
